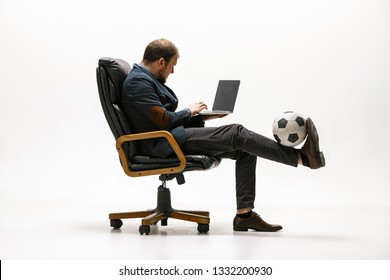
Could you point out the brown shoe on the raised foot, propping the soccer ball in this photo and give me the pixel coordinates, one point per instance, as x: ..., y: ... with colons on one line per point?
x: 311, y: 155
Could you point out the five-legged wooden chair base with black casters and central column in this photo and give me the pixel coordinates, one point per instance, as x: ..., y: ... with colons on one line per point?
x: 162, y: 212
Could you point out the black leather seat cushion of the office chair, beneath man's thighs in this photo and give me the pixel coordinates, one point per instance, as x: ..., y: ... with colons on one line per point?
x: 193, y: 162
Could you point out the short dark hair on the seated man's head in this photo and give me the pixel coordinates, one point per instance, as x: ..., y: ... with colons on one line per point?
x: 160, y: 48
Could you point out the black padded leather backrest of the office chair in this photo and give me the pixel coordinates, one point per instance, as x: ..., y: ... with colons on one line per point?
x: 110, y: 75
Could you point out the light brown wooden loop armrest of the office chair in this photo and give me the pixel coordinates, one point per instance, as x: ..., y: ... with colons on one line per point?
x: 149, y: 135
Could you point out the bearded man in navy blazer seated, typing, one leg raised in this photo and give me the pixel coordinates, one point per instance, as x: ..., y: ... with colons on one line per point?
x: 150, y: 105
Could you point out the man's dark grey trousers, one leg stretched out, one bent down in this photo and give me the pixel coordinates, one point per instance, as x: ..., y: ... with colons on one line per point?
x: 242, y: 145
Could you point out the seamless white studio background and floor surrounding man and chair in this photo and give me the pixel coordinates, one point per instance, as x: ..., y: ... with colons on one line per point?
x: 60, y: 175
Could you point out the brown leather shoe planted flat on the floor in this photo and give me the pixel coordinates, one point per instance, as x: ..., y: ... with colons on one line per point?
x: 254, y: 222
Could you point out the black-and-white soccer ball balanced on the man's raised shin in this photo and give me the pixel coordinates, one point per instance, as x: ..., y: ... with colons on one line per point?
x: 289, y: 129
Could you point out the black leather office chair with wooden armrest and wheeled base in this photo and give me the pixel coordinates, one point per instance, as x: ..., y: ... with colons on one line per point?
x: 110, y: 76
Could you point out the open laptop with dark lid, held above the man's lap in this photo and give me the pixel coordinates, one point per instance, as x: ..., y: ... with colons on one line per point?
x: 225, y: 98
